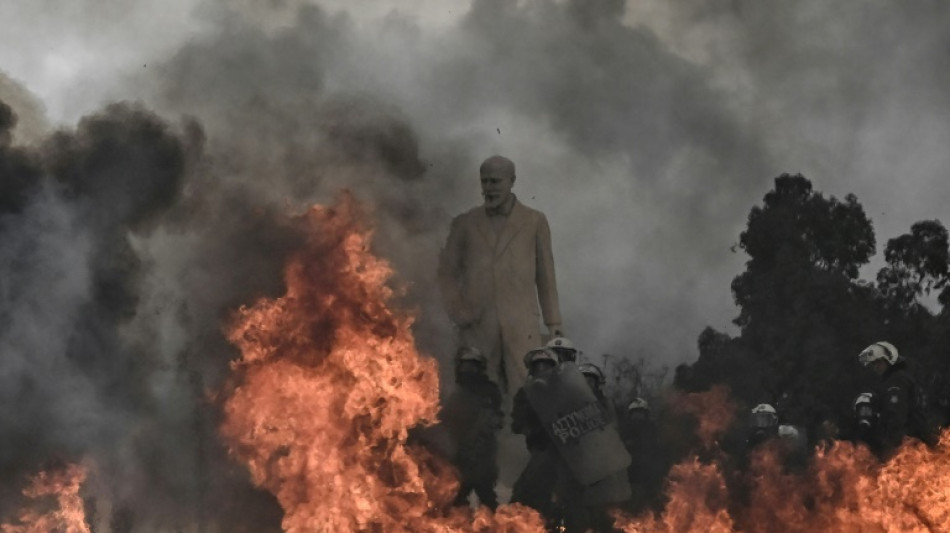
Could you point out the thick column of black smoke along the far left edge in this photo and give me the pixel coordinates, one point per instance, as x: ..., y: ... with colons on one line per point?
x: 72, y: 386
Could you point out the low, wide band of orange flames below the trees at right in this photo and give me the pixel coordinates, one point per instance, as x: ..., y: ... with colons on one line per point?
x: 844, y: 488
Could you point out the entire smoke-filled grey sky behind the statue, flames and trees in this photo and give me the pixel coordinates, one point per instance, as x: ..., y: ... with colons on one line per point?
x: 150, y: 159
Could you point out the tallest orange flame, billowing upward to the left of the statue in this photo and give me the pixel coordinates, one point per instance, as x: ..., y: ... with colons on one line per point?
x: 328, y: 385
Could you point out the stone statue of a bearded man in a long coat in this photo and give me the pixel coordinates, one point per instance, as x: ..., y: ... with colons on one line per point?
x: 495, y: 269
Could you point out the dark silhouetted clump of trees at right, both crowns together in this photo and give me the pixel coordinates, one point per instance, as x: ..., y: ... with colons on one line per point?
x: 804, y: 314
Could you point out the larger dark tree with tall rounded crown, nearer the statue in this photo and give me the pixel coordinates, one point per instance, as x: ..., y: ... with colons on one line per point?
x: 804, y: 315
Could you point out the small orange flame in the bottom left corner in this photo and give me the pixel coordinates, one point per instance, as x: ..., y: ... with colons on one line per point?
x: 67, y: 516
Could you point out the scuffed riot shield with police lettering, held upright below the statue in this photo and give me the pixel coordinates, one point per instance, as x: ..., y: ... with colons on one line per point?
x: 577, y: 424
